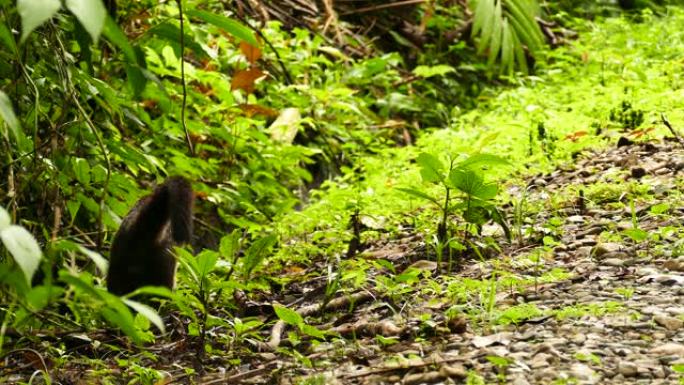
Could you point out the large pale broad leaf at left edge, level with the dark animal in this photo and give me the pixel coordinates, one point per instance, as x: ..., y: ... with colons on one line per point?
x: 23, y: 247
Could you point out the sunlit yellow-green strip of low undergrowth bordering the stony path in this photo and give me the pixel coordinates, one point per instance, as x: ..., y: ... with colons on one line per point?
x: 586, y: 96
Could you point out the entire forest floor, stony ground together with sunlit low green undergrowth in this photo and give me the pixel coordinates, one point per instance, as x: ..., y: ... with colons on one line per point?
x: 590, y: 290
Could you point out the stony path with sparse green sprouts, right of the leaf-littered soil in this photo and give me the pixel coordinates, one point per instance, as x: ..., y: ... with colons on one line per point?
x: 602, y: 305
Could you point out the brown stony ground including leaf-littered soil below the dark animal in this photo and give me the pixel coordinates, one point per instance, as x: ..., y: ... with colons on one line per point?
x: 590, y: 291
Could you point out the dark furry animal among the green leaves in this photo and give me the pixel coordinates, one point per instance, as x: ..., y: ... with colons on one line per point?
x: 141, y: 251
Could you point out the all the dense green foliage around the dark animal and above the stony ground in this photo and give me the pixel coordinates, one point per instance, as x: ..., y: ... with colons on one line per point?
x: 299, y: 153
